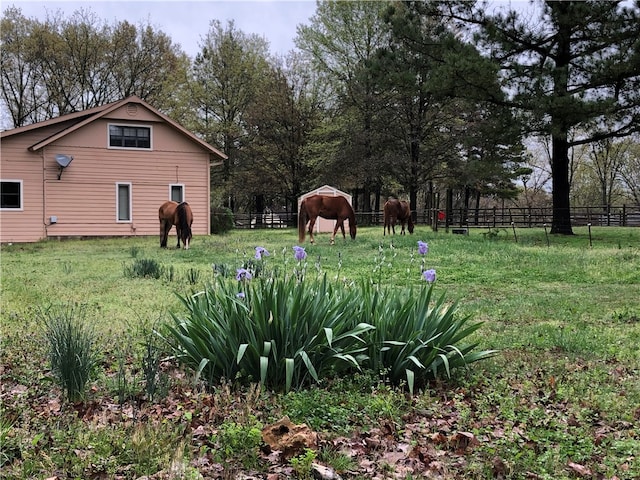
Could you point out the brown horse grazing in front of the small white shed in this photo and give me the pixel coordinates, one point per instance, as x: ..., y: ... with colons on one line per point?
x: 332, y: 208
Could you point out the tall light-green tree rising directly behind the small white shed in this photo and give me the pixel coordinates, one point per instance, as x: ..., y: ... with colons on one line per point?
x: 343, y: 39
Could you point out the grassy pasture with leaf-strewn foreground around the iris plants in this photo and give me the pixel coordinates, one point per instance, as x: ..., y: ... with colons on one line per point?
x: 560, y: 400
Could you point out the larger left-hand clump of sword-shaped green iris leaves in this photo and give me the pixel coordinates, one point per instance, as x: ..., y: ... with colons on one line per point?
x: 280, y: 332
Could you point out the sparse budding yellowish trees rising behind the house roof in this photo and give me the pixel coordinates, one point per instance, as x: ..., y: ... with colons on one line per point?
x: 65, y: 65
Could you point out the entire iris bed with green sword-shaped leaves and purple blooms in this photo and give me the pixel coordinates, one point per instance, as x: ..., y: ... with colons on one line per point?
x: 287, y: 331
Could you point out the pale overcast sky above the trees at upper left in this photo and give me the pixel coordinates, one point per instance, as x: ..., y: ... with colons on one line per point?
x: 187, y: 22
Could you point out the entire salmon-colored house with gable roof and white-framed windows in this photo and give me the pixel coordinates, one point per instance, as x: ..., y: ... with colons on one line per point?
x: 101, y: 172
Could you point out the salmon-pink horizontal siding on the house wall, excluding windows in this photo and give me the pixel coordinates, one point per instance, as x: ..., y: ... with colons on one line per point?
x: 84, y: 199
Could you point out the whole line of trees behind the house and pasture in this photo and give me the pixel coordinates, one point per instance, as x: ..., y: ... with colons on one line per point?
x: 427, y: 100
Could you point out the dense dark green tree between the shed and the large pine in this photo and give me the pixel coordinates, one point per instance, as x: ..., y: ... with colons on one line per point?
x: 448, y: 132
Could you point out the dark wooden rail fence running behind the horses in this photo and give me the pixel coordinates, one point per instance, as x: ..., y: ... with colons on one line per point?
x: 618, y: 216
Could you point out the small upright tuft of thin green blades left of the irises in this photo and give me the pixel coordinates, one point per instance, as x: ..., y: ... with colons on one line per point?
x: 72, y: 354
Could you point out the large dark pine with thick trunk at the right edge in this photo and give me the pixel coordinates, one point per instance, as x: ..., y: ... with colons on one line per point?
x: 576, y: 68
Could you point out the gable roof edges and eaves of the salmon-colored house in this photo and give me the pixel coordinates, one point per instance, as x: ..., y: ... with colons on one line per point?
x: 87, y: 116
